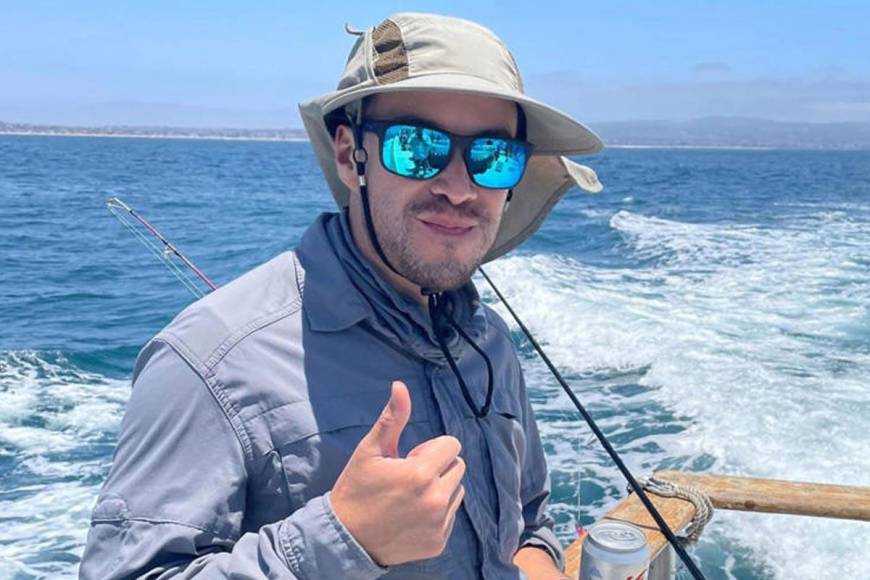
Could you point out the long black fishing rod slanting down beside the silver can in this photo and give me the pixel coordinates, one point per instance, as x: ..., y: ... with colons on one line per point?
x: 635, y: 486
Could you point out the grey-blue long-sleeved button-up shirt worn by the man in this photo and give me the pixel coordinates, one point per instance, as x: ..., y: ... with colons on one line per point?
x: 245, y: 409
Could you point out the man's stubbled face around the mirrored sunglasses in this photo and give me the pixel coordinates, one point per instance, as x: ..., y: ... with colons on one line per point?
x: 435, y: 232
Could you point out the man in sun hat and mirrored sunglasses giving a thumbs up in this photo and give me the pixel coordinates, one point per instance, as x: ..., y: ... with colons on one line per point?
x: 257, y: 442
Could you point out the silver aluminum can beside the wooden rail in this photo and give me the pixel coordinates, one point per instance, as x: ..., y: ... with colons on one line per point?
x: 614, y: 551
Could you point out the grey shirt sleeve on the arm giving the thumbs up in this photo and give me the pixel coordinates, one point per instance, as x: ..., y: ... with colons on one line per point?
x: 174, y: 501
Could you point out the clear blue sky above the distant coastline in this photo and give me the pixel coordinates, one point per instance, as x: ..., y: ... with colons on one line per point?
x: 250, y: 62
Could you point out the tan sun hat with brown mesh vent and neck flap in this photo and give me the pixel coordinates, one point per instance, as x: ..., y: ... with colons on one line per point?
x: 416, y: 52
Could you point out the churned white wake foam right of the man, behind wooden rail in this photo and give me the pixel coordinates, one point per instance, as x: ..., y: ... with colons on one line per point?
x: 754, y: 340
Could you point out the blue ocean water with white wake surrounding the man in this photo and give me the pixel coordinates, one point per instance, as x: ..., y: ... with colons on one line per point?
x: 709, y: 307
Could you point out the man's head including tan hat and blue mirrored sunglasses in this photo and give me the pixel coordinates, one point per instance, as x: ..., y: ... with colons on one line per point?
x: 460, y: 77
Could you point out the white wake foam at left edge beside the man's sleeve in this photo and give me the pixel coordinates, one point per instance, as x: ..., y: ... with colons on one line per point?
x: 51, y: 416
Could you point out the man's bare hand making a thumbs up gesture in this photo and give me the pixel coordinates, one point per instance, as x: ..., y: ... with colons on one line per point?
x: 400, y: 509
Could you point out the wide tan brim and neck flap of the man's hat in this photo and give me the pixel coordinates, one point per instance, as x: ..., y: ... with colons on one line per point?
x: 548, y: 174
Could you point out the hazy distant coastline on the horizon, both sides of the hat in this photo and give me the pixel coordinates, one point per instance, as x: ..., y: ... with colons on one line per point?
x: 708, y: 133
